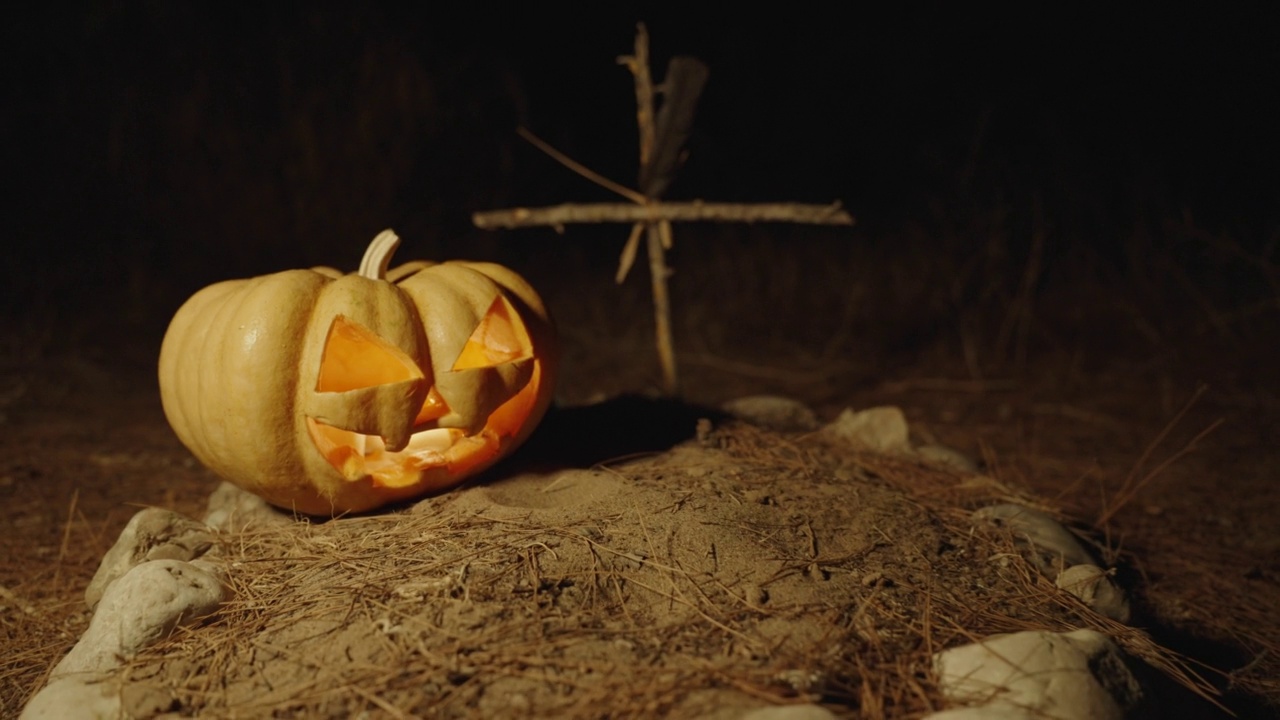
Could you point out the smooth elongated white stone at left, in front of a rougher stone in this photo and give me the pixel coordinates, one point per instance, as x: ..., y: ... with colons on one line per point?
x: 141, y: 608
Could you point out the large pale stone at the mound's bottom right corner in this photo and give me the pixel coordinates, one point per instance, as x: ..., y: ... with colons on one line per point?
x: 1077, y: 676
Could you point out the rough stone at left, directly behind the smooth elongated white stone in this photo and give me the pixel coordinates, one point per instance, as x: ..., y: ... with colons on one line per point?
x: 153, y: 534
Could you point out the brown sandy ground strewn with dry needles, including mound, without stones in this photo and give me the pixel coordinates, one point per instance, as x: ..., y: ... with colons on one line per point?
x: 659, y: 571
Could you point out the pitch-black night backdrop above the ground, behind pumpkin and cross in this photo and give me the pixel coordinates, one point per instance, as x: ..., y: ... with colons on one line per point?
x: 153, y: 148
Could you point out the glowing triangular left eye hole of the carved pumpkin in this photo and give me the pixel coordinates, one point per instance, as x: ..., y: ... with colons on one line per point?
x: 355, y: 358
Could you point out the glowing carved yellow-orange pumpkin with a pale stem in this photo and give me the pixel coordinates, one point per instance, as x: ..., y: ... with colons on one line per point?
x: 328, y: 394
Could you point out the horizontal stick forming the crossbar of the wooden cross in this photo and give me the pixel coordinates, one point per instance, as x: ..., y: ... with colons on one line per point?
x: 694, y: 212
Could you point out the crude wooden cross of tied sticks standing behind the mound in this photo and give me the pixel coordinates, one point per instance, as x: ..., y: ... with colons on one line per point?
x: 662, y: 140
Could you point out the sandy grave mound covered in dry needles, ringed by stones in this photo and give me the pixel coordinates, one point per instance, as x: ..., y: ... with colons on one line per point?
x: 451, y: 609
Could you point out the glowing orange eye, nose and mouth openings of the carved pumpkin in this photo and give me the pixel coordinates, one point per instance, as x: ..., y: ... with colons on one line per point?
x: 356, y: 358
